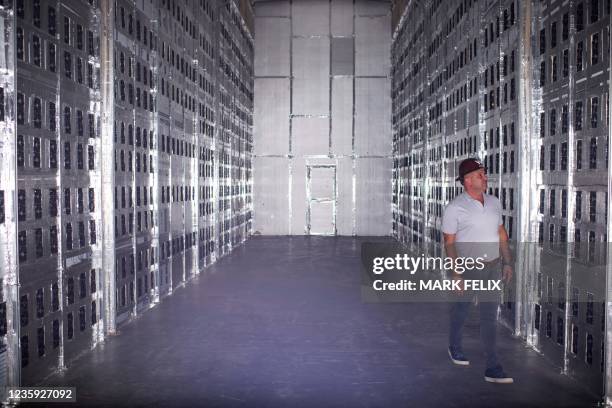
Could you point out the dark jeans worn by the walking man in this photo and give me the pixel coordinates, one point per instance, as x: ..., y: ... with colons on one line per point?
x: 488, y: 317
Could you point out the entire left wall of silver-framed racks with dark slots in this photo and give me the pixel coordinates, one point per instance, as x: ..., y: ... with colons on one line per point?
x: 126, y: 158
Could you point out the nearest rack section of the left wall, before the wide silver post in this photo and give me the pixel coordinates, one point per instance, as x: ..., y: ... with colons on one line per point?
x: 58, y: 213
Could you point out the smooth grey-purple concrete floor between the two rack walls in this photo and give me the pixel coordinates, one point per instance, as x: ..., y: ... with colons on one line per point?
x: 280, y: 322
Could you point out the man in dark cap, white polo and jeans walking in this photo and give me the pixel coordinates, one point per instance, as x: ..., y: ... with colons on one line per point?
x: 472, y: 227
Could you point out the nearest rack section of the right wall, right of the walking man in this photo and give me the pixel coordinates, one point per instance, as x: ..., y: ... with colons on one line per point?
x: 570, y: 62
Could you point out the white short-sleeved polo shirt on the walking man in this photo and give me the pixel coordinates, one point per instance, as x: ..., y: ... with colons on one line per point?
x: 476, y: 226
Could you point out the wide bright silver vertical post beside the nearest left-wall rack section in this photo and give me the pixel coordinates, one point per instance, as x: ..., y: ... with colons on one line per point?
x: 107, y: 274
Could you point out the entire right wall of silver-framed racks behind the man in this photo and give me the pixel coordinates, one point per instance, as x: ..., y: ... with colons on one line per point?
x: 525, y: 87
